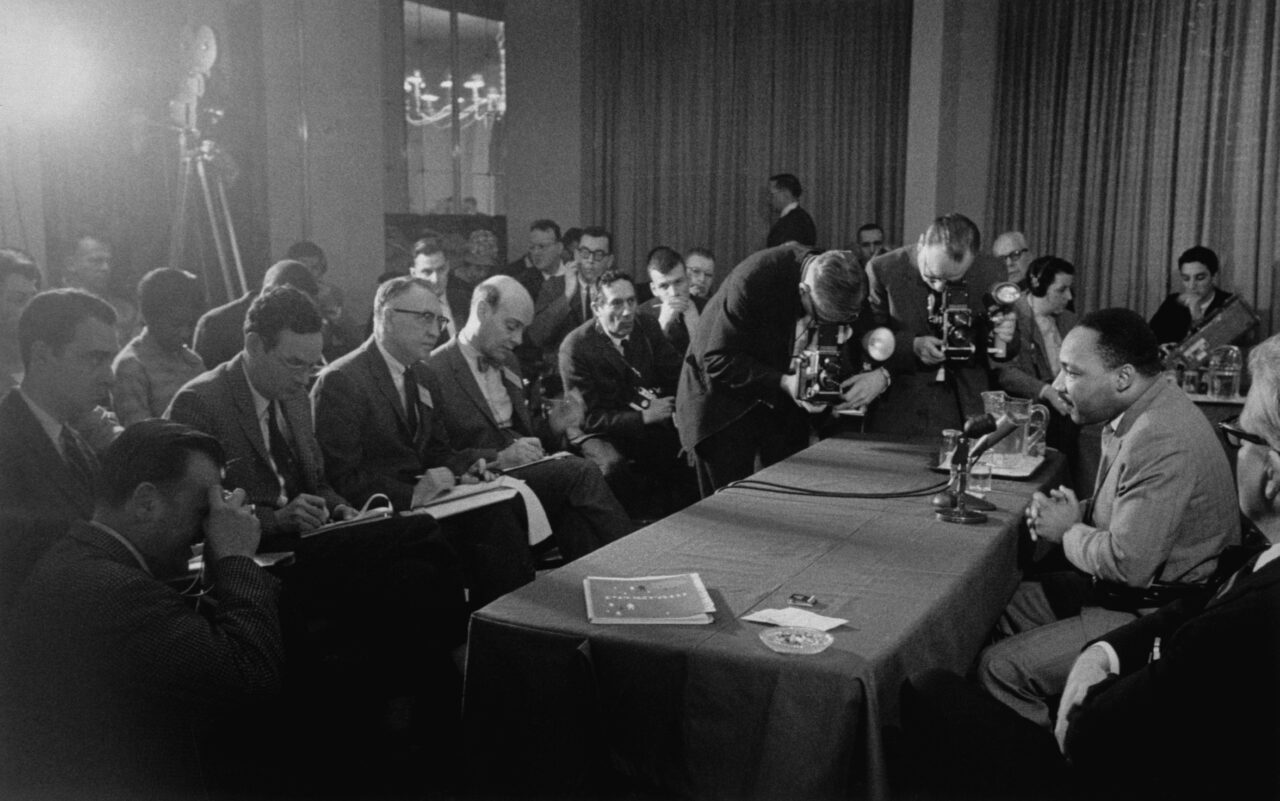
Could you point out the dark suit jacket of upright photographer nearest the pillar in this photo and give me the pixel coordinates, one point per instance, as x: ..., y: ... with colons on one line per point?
x: 916, y: 404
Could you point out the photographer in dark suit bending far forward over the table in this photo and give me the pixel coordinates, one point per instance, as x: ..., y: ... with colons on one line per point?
x: 737, y: 397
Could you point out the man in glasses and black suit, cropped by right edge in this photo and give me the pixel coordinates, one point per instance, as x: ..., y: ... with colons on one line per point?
x: 1178, y: 704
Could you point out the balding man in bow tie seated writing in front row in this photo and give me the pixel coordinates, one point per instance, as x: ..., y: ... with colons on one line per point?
x: 477, y: 385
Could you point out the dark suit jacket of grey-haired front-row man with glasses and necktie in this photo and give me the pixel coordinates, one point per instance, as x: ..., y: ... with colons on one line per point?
x: 365, y: 436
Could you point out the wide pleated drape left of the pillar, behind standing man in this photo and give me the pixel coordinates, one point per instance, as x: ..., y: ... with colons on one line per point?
x: 688, y: 108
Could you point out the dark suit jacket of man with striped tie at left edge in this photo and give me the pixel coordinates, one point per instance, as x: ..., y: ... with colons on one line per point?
x: 36, y: 486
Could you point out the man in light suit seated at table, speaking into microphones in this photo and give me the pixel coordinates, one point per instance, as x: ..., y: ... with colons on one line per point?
x: 1162, y: 514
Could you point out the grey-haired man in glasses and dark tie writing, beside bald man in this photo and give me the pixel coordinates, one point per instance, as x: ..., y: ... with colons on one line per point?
x: 377, y: 425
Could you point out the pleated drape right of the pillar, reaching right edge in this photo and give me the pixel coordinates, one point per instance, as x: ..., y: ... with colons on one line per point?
x: 1128, y: 131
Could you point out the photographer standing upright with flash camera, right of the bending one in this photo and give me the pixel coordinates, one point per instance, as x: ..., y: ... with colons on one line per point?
x: 909, y: 292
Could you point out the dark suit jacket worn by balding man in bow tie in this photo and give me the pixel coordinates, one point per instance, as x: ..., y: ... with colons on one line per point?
x: 465, y: 414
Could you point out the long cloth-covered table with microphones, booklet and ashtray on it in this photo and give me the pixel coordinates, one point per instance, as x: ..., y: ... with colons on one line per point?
x: 708, y: 712
